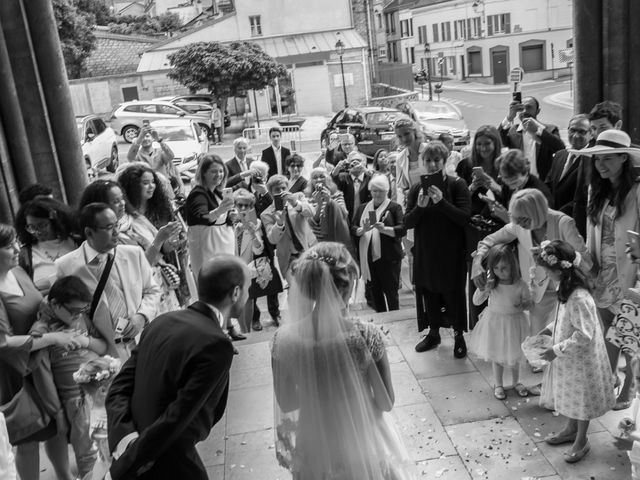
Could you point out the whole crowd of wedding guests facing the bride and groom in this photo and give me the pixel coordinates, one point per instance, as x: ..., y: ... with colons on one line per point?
x: 515, y: 236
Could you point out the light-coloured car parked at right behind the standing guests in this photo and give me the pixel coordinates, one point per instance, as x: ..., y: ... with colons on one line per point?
x: 437, y: 117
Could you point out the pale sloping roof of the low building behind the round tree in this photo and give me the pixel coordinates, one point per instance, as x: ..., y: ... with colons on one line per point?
x: 284, y: 48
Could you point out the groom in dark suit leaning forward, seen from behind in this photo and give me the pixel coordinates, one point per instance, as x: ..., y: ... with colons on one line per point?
x: 173, y: 389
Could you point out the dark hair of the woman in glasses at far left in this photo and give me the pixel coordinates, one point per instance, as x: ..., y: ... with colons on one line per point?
x: 61, y: 217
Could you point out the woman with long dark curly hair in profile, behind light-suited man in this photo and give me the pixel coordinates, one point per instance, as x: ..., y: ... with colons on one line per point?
x: 153, y: 227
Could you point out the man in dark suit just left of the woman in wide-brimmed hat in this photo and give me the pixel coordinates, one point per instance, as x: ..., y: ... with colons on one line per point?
x: 563, y: 176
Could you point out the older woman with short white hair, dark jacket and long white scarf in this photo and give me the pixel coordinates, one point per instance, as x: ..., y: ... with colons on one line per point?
x: 380, y: 228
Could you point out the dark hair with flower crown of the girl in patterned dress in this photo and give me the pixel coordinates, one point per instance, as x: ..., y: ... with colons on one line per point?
x: 559, y: 256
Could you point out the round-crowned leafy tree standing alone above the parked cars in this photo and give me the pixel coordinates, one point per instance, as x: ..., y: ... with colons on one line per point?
x: 225, y: 70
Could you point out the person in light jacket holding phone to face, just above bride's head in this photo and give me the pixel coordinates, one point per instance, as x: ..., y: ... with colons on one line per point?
x: 288, y: 229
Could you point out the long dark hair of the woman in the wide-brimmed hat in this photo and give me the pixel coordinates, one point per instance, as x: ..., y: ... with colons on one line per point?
x: 602, y: 189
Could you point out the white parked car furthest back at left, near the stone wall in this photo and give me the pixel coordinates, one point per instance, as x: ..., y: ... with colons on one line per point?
x: 126, y: 118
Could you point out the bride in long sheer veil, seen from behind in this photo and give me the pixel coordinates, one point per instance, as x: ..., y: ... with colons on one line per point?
x: 332, y: 380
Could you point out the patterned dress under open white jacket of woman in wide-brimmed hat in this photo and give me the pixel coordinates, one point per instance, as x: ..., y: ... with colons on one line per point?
x: 608, y: 291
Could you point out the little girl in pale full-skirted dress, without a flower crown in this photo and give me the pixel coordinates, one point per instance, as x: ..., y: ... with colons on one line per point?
x: 503, y: 325
